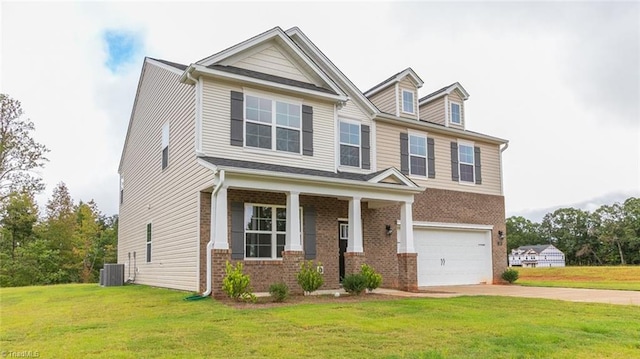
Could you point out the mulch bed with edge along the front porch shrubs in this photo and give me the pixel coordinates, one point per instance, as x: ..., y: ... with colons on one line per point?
x: 267, y: 302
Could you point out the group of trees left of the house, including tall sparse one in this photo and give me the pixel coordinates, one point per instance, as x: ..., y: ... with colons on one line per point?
x: 69, y: 242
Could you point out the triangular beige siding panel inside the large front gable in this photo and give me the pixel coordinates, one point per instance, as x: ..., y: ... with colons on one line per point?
x: 274, y: 62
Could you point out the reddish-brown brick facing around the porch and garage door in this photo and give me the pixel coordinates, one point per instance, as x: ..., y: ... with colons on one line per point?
x: 380, y: 248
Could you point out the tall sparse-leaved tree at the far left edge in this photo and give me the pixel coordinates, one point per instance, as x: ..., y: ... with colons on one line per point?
x: 20, y: 154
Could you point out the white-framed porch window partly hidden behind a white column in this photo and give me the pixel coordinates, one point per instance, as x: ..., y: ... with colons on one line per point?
x: 265, y: 230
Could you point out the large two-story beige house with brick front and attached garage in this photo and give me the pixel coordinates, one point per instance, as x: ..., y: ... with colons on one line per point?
x: 265, y: 153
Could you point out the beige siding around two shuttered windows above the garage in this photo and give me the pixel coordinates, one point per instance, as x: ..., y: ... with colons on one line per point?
x: 388, y: 155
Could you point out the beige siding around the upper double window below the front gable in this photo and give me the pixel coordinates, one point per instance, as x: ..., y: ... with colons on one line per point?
x: 216, y: 130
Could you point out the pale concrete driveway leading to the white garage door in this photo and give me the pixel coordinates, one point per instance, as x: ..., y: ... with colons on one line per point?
x: 622, y: 297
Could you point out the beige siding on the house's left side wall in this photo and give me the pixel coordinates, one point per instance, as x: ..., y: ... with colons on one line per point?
x: 168, y: 198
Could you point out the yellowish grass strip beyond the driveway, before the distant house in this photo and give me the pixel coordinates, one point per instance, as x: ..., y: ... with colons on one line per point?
x: 620, y: 277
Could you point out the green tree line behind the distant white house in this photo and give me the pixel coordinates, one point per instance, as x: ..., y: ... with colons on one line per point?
x: 610, y: 235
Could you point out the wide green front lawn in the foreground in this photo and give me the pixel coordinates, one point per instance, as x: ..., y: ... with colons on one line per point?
x: 142, y: 322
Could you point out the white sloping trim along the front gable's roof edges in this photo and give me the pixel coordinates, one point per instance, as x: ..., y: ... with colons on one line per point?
x: 282, y: 39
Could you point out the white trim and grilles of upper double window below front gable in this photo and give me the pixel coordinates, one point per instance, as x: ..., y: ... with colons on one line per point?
x: 272, y: 124
